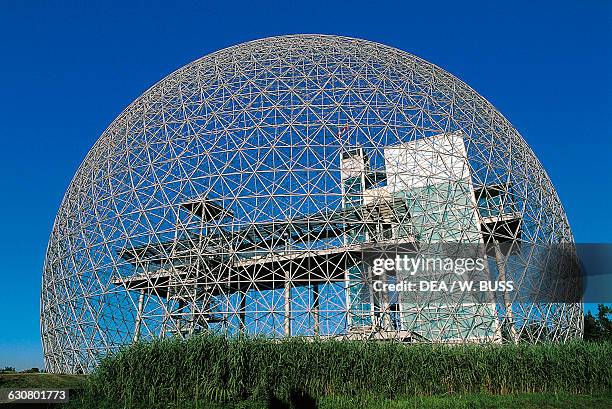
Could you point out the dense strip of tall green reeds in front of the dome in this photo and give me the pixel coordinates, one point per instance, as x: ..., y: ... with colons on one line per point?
x: 217, y: 369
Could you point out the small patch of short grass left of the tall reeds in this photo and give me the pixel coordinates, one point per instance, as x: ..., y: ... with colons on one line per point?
x: 42, y: 380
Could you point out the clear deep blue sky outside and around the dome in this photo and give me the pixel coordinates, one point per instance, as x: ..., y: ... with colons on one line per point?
x: 69, y: 69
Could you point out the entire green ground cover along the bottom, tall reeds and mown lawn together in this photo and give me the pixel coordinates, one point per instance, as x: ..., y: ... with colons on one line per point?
x: 215, y: 372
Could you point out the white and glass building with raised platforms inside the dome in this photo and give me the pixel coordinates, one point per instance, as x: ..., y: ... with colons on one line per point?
x: 206, y: 277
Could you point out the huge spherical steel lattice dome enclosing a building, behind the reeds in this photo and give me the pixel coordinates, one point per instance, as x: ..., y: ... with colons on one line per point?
x: 236, y: 195
